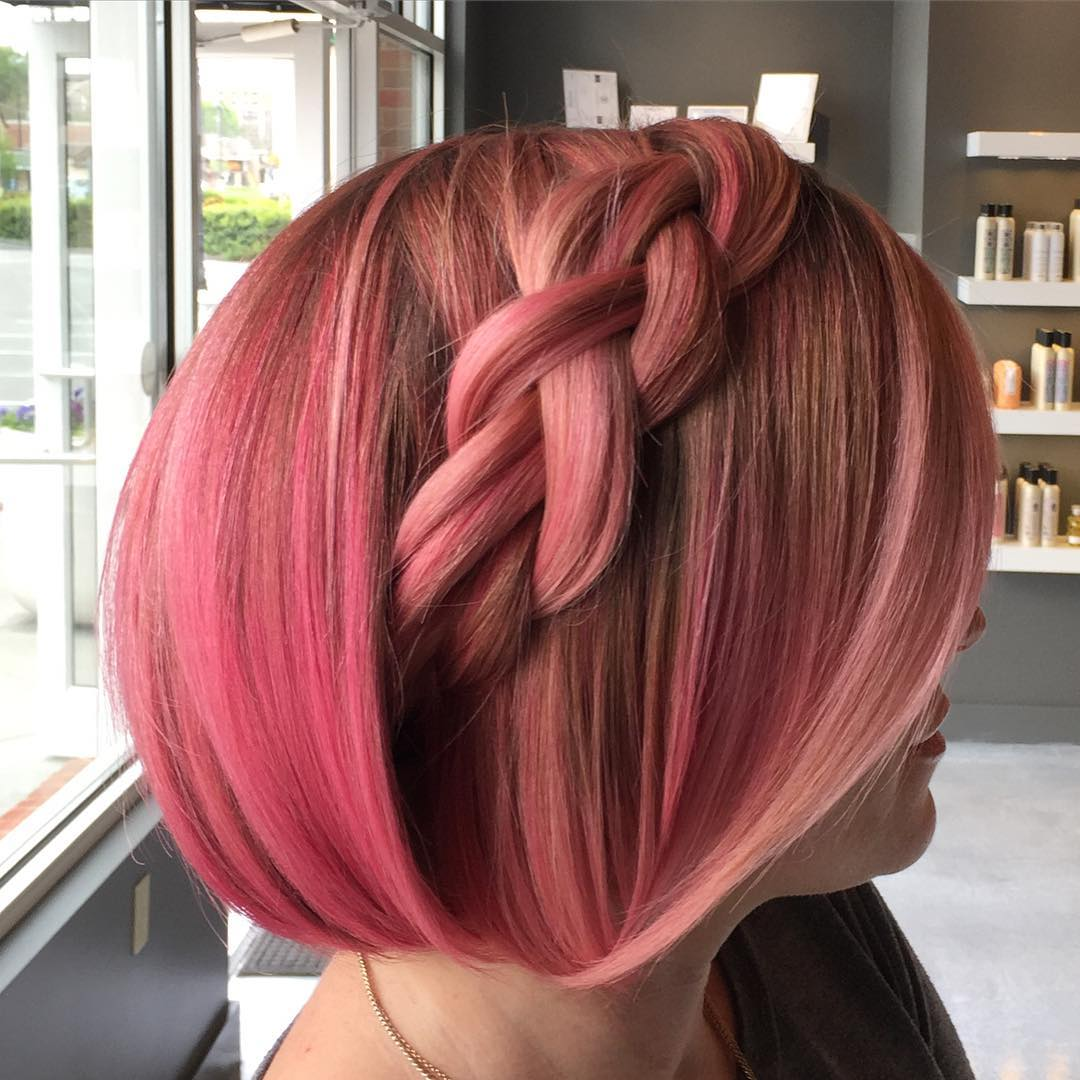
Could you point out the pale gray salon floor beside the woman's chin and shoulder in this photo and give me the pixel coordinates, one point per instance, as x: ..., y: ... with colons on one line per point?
x: 992, y: 909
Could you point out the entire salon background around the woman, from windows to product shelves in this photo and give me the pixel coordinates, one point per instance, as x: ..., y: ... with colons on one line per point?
x: 151, y: 150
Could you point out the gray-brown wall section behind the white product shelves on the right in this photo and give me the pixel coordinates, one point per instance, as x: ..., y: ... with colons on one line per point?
x: 1023, y: 682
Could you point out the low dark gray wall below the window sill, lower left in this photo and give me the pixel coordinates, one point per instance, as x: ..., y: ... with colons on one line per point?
x: 82, y: 1006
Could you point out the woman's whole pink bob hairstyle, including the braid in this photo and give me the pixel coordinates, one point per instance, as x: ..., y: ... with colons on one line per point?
x: 549, y: 529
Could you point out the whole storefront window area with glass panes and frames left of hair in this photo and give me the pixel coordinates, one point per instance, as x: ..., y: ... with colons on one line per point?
x: 265, y: 111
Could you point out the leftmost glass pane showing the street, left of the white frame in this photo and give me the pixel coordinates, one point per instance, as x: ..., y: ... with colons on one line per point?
x: 49, y: 725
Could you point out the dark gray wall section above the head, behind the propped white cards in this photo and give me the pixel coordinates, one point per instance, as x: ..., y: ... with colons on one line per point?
x: 678, y: 53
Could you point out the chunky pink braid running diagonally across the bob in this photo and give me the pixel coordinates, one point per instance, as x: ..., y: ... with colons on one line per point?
x: 589, y: 336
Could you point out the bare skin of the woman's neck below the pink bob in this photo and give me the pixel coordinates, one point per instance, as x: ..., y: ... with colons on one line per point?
x: 505, y: 1021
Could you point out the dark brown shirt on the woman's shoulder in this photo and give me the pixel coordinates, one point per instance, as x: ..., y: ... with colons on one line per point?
x: 828, y: 988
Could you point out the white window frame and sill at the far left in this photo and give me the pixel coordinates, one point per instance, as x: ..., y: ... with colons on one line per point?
x: 131, y: 348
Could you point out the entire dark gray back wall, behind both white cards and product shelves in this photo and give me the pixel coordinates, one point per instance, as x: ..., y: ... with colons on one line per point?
x: 901, y: 85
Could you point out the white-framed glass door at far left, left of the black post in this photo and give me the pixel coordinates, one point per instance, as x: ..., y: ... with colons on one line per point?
x: 82, y: 348
